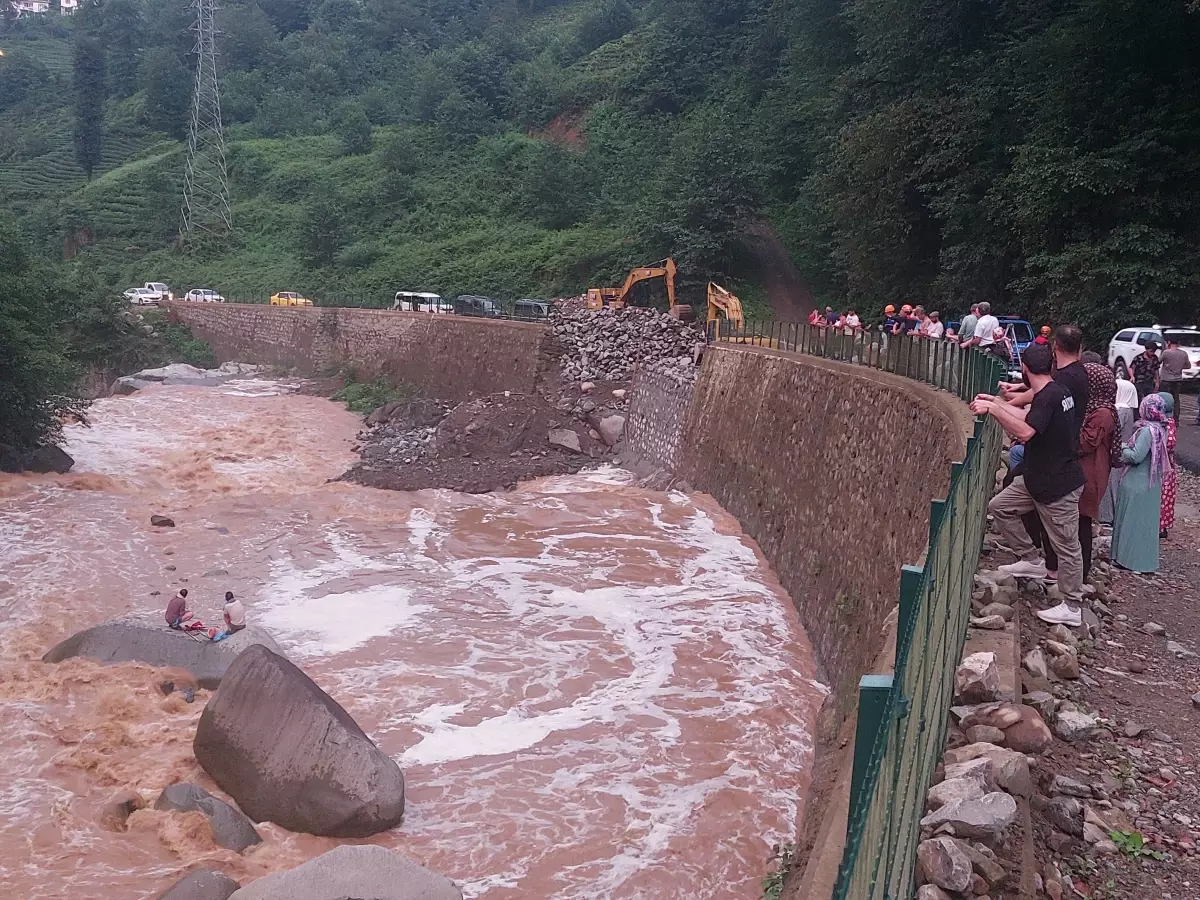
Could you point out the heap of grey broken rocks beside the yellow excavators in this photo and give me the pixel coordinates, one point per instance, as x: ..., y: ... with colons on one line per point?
x: 609, y: 345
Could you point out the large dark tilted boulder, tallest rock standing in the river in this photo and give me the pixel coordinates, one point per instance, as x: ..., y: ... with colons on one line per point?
x: 289, y: 754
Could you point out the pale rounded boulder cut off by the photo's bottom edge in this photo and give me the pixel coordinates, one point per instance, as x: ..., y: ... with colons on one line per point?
x: 361, y: 872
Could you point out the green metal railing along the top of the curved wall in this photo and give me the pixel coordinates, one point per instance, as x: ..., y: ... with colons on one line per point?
x: 903, y: 717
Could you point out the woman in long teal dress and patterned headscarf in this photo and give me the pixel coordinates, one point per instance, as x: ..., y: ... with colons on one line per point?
x: 1141, y: 495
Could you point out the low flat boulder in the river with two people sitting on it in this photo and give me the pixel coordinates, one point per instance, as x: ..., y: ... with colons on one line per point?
x: 146, y: 639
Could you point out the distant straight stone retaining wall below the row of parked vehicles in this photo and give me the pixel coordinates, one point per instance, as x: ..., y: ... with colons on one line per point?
x: 447, y: 357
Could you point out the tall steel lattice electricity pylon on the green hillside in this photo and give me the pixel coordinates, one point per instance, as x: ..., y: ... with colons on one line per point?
x: 207, y: 172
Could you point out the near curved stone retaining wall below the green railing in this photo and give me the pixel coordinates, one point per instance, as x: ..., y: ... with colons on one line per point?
x: 831, y: 469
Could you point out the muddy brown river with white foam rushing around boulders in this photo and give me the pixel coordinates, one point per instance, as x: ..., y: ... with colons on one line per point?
x: 595, y: 691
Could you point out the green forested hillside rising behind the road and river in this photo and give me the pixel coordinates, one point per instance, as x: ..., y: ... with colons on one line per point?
x: 1041, y: 155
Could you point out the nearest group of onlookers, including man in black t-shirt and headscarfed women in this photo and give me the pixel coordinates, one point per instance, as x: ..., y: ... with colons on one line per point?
x: 1088, y: 448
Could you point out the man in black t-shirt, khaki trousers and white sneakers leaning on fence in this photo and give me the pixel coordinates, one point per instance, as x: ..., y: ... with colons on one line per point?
x: 1052, y: 485
